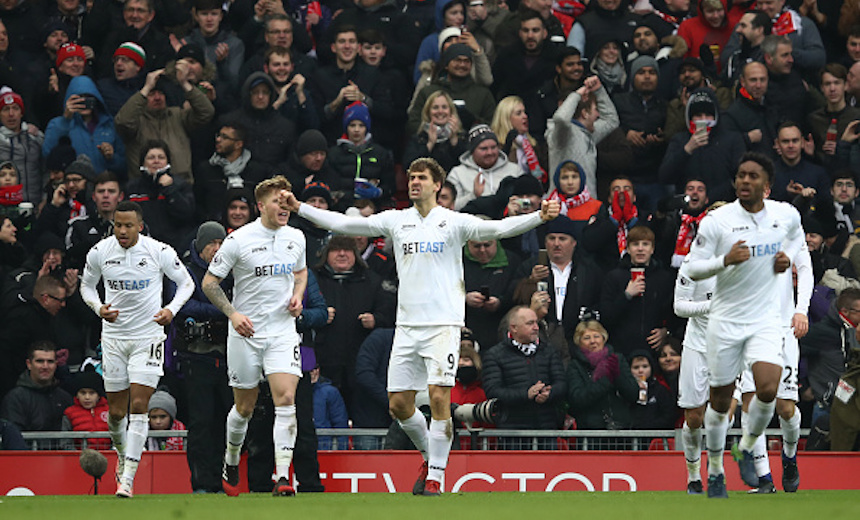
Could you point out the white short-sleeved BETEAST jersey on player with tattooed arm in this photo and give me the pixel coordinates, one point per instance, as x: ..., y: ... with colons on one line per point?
x: 263, y: 262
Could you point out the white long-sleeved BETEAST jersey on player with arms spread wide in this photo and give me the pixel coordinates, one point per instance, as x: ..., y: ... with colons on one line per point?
x: 429, y: 254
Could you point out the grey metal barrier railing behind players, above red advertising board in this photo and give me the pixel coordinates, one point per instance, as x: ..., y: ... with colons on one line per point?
x: 482, y: 440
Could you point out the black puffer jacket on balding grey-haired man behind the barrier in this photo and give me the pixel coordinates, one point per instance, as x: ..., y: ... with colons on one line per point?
x: 508, y: 374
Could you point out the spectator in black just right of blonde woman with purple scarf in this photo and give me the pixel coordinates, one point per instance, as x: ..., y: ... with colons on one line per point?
x: 655, y: 409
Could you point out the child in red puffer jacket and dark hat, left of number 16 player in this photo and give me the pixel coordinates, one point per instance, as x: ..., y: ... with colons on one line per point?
x: 90, y: 411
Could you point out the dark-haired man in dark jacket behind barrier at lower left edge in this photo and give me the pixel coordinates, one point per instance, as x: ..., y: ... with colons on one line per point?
x: 37, y: 402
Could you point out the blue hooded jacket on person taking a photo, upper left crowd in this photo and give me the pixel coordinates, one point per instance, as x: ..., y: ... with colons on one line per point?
x: 84, y: 141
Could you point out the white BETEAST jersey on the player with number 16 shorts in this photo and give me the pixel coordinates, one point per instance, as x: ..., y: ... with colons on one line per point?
x: 133, y: 285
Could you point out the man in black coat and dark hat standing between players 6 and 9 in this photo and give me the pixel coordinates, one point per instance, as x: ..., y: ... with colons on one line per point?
x: 360, y: 304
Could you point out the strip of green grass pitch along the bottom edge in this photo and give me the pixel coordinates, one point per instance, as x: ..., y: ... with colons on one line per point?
x: 805, y: 505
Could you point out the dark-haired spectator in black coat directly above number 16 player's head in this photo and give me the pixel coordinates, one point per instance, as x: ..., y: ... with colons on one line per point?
x: 166, y: 199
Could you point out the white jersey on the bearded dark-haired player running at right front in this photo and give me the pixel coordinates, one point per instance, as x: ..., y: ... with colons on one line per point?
x: 748, y: 292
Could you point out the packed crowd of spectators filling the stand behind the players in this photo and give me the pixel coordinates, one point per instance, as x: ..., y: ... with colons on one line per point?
x: 632, y: 114
